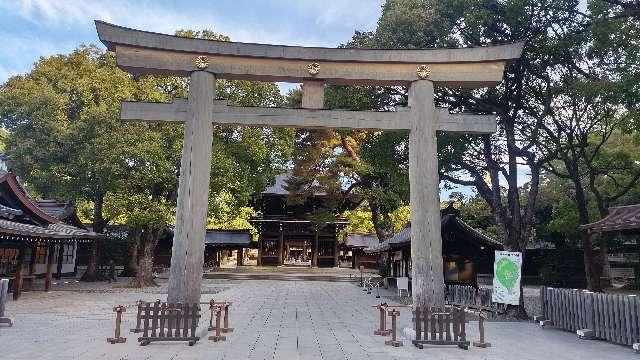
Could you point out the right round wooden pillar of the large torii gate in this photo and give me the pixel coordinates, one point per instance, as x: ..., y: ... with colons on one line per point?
x: 426, y: 242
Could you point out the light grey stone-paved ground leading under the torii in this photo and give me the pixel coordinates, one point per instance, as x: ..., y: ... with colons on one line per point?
x: 272, y: 320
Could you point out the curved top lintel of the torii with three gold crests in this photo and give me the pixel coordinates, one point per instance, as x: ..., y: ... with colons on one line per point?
x: 142, y: 52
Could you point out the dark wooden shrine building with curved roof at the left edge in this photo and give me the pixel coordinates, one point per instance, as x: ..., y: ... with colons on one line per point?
x: 35, y: 233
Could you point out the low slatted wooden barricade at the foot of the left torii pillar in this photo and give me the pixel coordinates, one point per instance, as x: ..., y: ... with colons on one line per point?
x: 169, y: 322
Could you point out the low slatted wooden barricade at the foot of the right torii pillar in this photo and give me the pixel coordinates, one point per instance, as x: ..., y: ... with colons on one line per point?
x: 440, y: 327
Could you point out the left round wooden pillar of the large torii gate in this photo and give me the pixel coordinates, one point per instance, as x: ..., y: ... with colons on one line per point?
x: 187, y: 254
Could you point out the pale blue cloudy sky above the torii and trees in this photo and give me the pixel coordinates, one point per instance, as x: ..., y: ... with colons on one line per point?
x: 30, y: 29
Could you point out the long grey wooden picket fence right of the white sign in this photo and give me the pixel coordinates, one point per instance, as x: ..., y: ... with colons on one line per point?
x: 612, y: 317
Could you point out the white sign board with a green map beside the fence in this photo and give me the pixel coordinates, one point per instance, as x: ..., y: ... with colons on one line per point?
x: 507, y: 271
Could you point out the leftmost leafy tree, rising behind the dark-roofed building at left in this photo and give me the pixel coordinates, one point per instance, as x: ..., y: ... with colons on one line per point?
x: 64, y: 134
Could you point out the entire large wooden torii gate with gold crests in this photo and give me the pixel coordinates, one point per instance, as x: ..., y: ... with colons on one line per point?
x: 140, y: 52
